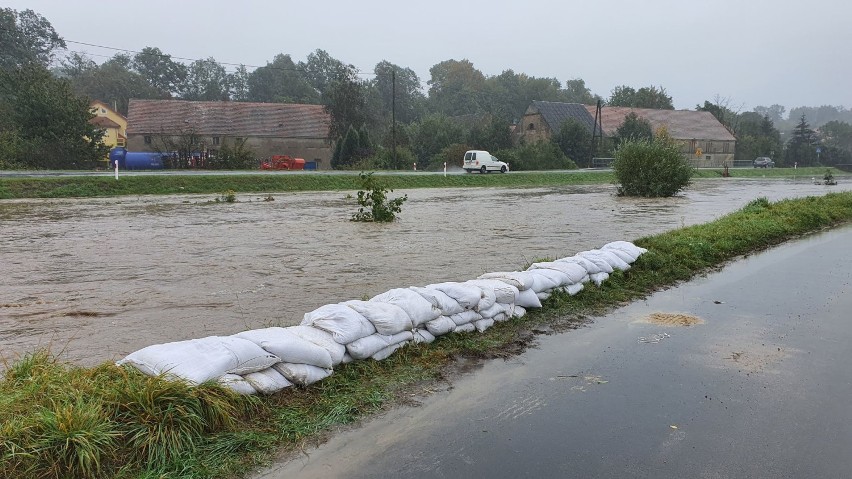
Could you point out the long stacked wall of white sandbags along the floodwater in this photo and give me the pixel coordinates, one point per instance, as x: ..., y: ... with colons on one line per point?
x: 263, y: 361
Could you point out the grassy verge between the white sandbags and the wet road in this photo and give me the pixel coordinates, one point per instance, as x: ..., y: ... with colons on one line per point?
x: 59, y: 420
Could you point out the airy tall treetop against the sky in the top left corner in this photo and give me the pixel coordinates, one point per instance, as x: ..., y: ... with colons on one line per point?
x: 26, y: 38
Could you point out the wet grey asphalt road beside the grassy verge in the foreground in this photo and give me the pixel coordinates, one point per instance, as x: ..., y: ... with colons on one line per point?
x: 762, y: 389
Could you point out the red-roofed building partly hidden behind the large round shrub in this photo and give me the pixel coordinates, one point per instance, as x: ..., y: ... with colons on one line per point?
x: 704, y: 140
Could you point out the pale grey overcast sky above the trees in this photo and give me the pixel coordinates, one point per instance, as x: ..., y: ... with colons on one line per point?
x: 751, y: 52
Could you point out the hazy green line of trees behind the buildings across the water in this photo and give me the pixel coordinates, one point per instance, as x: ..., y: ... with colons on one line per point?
x: 385, y: 118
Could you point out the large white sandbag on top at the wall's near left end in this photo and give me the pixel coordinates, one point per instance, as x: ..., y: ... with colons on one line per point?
x: 200, y: 360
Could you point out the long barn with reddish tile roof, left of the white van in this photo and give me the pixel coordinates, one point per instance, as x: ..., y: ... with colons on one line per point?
x: 268, y: 129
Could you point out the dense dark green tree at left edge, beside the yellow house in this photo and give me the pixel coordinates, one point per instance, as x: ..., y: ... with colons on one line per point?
x: 44, y: 124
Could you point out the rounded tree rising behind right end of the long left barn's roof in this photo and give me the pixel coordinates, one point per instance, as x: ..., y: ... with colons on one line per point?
x: 281, y: 81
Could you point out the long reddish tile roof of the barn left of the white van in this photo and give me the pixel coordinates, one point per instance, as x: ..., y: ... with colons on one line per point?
x: 227, y: 118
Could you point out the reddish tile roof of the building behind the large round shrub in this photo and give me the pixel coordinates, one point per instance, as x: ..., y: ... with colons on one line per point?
x: 682, y: 124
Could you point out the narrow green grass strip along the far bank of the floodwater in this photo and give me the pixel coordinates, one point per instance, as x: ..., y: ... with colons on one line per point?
x: 168, y: 184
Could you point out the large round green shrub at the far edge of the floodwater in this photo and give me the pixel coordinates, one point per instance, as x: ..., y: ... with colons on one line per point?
x: 651, y: 168
